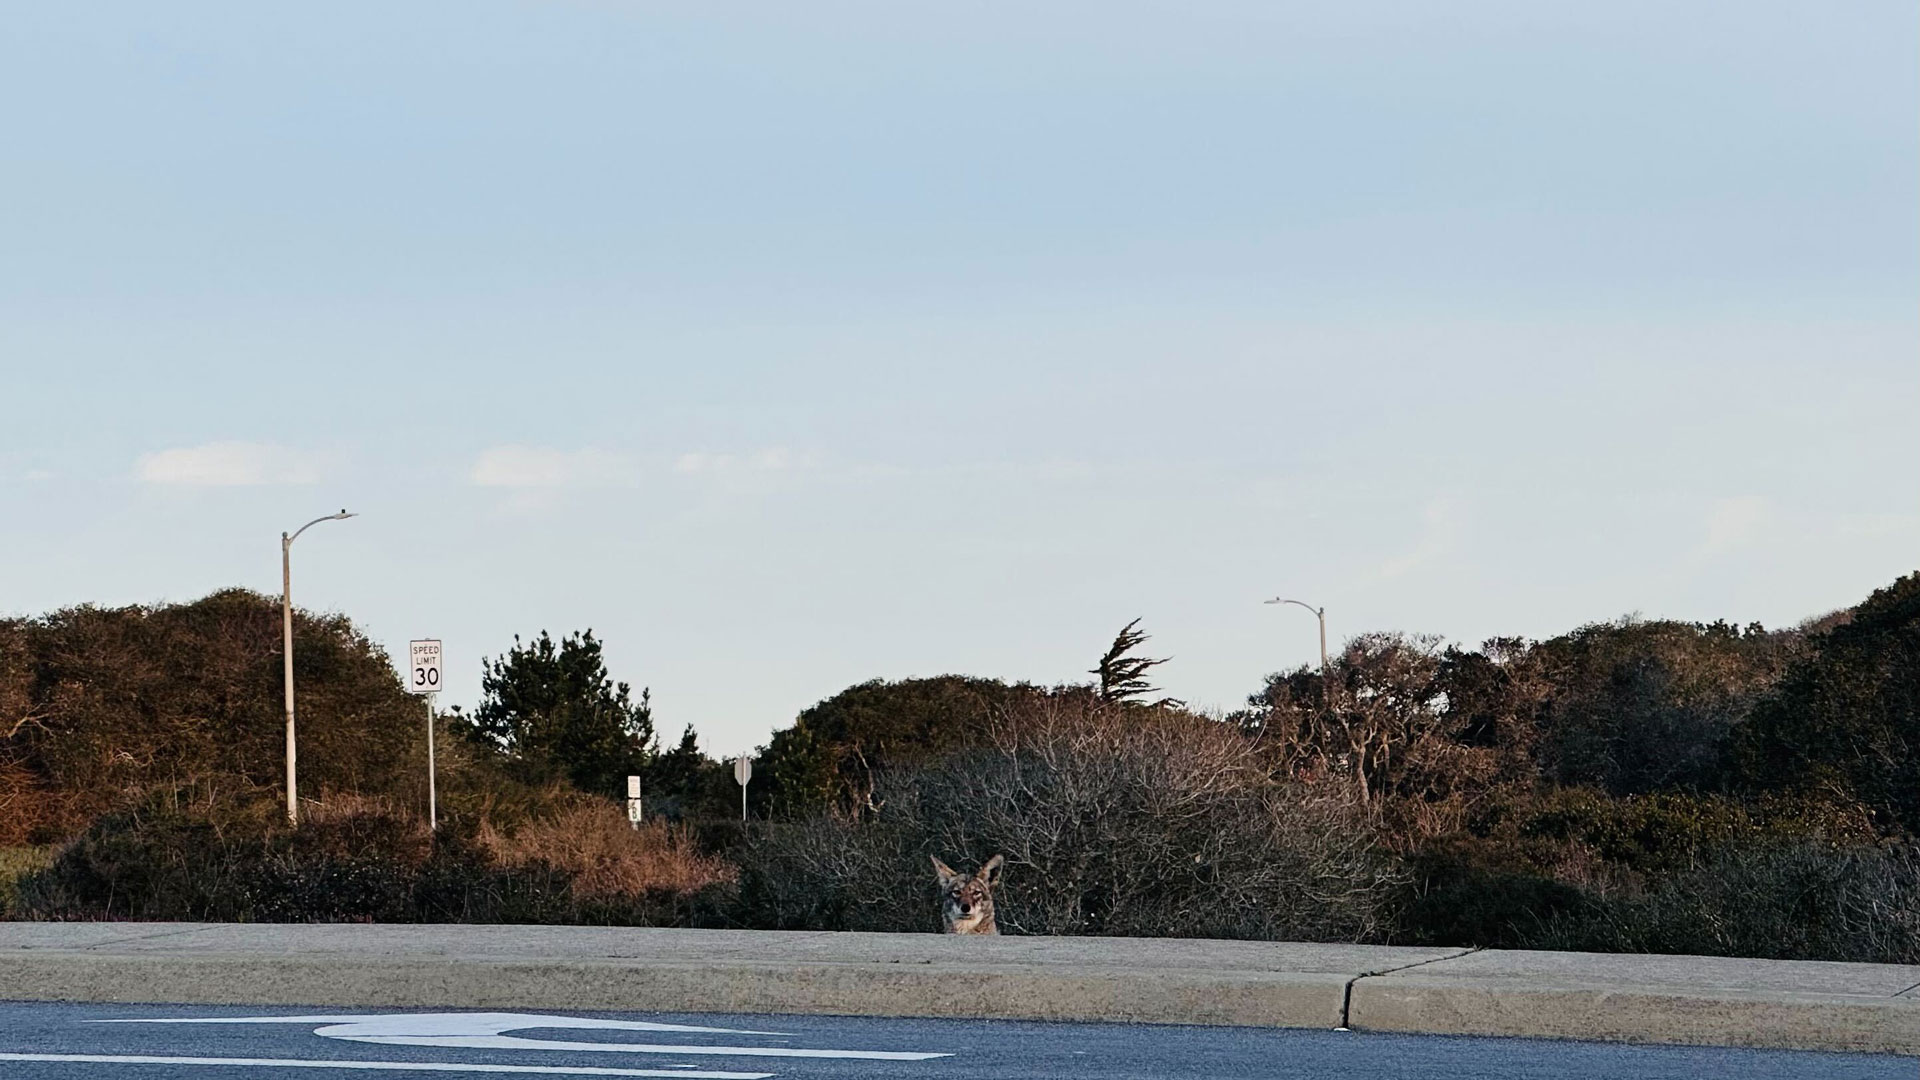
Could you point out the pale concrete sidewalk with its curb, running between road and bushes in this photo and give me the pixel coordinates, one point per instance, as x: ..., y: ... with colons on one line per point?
x: 1669, y: 1000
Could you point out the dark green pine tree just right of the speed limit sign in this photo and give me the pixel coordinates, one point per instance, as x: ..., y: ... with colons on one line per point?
x: 552, y: 712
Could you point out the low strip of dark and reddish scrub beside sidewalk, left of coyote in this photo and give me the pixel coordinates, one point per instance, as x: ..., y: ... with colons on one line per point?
x: 362, y: 860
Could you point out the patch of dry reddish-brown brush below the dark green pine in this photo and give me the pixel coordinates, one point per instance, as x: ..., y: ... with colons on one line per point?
x: 594, y: 843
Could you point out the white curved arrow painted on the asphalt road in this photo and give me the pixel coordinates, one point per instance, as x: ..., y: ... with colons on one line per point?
x: 485, y: 1031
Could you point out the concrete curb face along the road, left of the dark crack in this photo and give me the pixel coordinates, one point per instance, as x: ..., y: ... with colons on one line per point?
x: 1284, y: 1000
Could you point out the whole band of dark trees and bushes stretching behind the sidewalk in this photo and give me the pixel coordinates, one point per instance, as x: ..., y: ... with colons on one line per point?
x: 1629, y: 785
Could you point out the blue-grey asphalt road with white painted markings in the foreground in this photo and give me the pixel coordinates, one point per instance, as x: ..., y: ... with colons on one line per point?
x: 151, y: 1043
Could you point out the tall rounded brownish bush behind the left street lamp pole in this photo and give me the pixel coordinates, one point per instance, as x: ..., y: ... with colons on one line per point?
x: 101, y: 706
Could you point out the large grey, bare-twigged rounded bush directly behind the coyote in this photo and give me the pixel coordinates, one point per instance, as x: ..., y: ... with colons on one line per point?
x: 1115, y: 820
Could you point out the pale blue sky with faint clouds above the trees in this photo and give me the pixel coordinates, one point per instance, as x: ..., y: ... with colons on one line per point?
x: 794, y: 345
